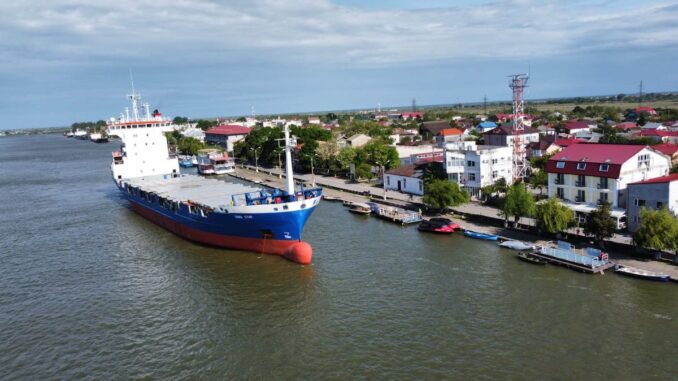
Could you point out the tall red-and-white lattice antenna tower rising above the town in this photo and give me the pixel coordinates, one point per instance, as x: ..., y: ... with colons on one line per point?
x: 517, y: 83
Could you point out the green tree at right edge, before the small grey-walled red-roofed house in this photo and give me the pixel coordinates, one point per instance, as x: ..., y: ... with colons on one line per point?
x: 658, y: 230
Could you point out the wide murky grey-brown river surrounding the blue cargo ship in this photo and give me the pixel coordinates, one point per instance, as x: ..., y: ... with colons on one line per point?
x: 90, y: 290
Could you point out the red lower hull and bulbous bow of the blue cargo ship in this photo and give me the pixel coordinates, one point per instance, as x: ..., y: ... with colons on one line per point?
x: 296, y: 251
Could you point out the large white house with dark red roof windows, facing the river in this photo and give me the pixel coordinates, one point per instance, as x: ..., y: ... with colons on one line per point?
x: 585, y: 175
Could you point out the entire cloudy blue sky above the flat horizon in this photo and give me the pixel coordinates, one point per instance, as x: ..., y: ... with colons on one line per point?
x: 65, y: 61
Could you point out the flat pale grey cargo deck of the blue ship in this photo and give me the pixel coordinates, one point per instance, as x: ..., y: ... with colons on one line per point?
x: 209, y: 192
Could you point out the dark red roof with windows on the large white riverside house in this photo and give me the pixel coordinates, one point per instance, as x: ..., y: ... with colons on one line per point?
x: 594, y: 156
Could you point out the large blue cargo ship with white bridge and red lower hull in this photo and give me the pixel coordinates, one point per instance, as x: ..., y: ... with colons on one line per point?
x: 208, y: 211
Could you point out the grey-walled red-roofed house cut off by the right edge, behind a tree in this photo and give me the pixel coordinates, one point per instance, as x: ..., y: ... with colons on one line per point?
x: 657, y: 193
